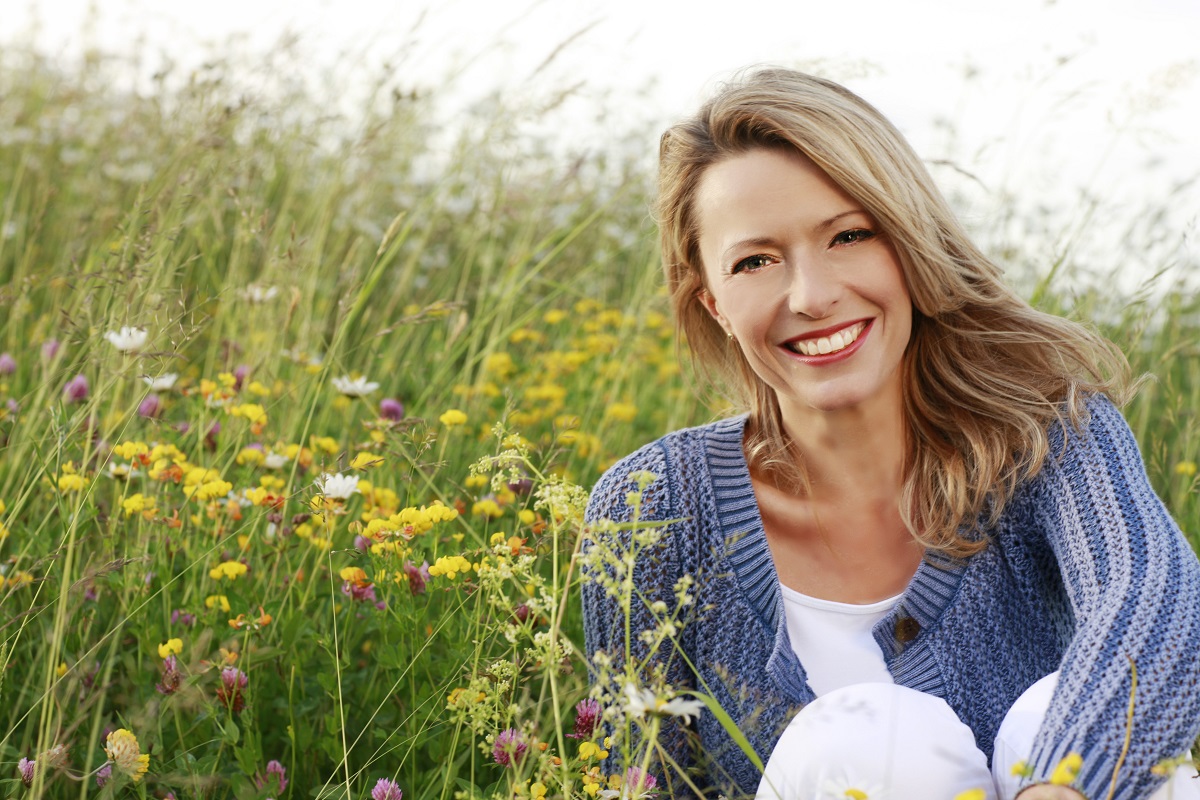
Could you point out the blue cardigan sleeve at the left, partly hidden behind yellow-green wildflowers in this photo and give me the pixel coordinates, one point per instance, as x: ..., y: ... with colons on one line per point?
x: 615, y: 618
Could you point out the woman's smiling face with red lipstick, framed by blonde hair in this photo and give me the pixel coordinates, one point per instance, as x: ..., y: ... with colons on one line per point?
x: 802, y: 278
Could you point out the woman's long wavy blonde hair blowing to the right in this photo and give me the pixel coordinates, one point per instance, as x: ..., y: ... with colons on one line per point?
x: 985, y: 375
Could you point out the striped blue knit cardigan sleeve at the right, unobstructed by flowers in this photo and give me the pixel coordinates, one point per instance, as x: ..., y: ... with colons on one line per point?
x: 1135, y: 587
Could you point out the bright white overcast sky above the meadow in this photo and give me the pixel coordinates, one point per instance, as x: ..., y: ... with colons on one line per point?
x: 1034, y: 103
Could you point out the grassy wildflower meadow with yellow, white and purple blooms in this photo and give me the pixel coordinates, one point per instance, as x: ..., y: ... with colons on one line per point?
x: 297, y: 424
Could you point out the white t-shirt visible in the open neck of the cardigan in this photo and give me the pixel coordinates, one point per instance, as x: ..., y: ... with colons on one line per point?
x: 835, y: 641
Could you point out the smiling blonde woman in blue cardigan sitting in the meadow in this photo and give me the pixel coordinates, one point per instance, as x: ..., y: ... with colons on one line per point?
x: 929, y: 545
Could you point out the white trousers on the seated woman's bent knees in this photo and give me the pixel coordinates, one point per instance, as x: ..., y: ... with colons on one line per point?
x: 884, y: 742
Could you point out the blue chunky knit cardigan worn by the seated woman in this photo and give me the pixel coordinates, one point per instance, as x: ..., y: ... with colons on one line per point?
x: 1085, y: 573
